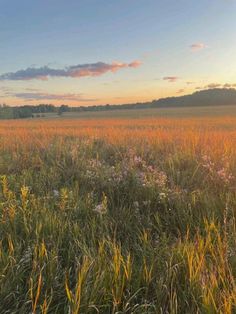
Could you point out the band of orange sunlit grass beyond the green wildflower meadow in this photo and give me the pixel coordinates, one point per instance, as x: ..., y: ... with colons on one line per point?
x: 213, y: 134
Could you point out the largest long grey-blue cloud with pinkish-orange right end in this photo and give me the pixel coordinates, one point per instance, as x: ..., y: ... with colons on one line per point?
x: 74, y: 71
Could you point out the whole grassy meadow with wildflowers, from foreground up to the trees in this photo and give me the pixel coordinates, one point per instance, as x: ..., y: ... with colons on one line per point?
x: 119, y: 213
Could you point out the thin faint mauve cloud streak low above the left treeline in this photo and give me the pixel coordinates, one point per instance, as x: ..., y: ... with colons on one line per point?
x: 47, y: 96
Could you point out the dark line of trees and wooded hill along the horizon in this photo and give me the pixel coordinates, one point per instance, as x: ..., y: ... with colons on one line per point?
x: 210, y: 97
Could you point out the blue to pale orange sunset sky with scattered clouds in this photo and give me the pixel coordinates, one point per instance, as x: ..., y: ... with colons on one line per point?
x: 90, y: 52
